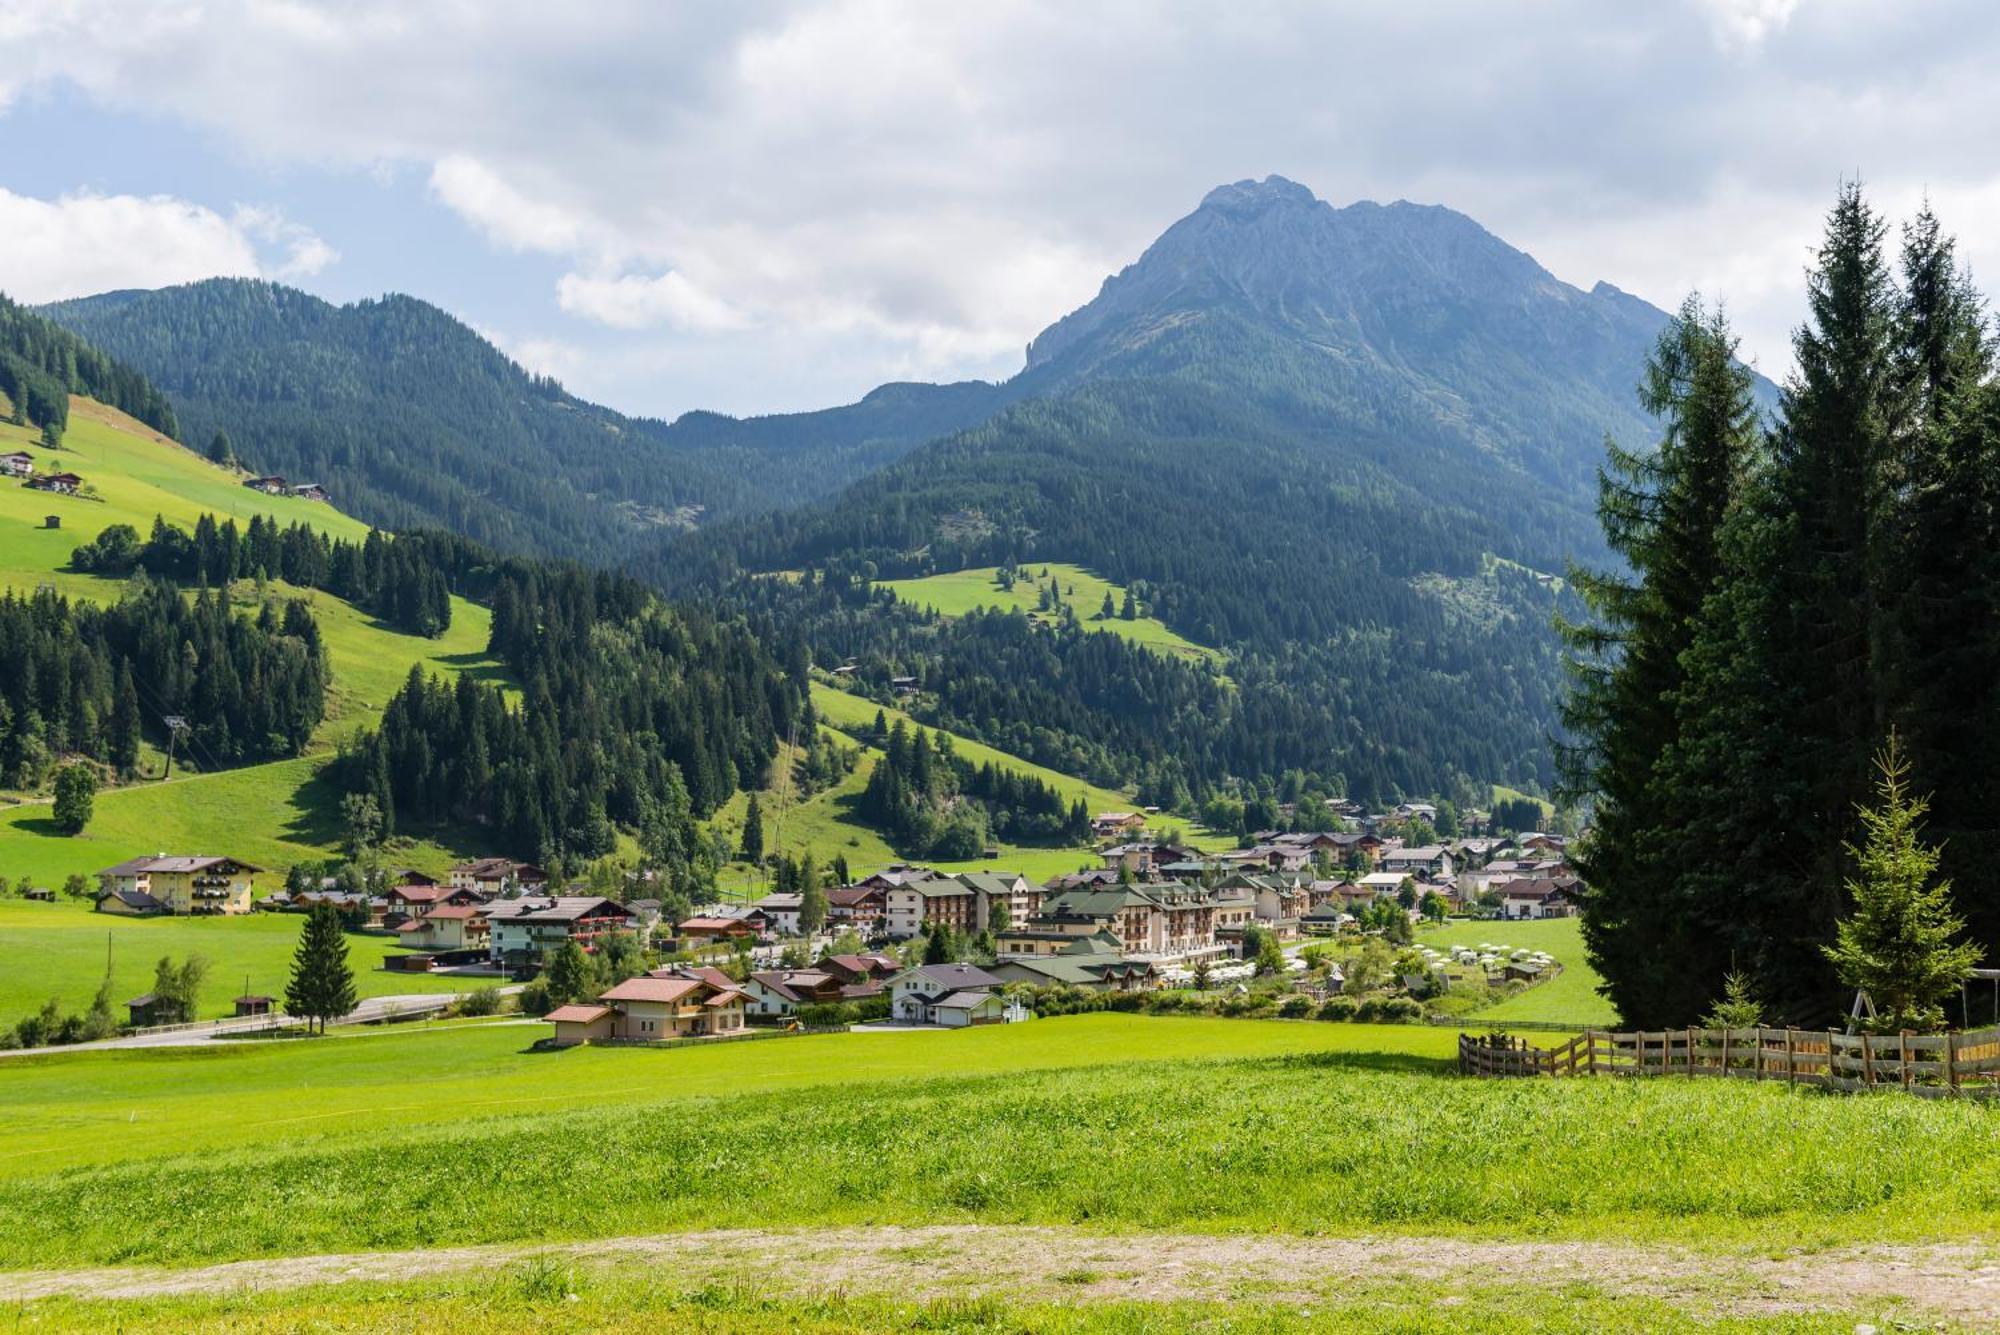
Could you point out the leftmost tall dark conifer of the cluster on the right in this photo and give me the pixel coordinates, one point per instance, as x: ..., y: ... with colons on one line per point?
x: 1663, y: 513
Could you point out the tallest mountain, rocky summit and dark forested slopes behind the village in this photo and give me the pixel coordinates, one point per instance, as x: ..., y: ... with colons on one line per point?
x: 1353, y: 449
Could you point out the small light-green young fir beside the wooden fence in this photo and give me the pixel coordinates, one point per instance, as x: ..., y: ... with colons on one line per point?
x: 1899, y: 942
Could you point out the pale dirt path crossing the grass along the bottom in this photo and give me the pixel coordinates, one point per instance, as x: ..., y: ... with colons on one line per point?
x: 1957, y: 1282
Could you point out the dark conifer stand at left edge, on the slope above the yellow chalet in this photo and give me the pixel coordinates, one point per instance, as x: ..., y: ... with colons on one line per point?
x: 85, y: 680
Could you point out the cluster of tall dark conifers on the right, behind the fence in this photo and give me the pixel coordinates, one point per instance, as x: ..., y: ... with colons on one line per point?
x: 1793, y: 597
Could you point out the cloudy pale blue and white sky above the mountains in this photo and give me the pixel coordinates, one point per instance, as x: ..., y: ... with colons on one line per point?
x: 779, y: 207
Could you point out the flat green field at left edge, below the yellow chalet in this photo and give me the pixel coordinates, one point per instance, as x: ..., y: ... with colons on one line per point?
x: 59, y: 950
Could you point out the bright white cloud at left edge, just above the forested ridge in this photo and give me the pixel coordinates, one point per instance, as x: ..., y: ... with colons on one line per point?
x: 91, y: 243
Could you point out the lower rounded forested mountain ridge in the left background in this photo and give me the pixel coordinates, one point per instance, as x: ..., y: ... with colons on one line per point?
x: 413, y: 421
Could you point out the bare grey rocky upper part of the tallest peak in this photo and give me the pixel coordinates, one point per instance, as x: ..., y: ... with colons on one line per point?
x: 1375, y: 317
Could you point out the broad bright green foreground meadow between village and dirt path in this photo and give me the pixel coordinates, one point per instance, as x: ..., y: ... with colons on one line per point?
x: 1113, y: 1124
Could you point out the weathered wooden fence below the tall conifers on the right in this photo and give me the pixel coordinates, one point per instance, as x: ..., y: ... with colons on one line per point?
x: 1925, y: 1064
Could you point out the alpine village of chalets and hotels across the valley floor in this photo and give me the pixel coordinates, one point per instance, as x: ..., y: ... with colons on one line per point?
x: 1293, y: 924
